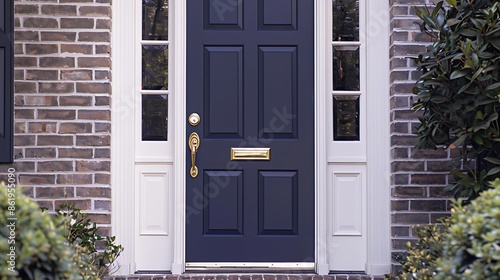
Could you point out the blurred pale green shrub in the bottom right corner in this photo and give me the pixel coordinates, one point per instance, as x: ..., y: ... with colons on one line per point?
x: 472, y: 249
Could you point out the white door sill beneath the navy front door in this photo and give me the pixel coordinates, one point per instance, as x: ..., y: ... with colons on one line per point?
x: 250, y: 267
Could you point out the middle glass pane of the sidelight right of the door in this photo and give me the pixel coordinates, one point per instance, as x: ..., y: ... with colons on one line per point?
x: 346, y: 68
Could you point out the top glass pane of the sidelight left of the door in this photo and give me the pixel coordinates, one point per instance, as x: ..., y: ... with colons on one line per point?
x: 154, y: 19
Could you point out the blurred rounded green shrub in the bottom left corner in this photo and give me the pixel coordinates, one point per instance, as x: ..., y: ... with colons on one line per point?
x: 36, y: 244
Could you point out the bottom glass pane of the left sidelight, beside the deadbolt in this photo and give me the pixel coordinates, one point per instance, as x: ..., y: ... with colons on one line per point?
x: 154, y: 117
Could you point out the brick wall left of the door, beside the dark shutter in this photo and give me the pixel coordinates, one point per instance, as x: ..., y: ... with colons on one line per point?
x: 62, y: 96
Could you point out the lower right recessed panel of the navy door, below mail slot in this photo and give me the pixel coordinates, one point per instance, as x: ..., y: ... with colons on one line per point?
x: 278, y: 203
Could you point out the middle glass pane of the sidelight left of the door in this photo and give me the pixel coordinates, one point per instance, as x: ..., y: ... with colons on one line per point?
x: 155, y: 67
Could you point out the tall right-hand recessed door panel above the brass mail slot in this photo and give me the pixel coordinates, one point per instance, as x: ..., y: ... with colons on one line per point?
x: 278, y: 91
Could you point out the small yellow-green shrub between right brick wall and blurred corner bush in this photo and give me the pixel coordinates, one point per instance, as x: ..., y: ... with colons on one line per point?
x: 419, y: 262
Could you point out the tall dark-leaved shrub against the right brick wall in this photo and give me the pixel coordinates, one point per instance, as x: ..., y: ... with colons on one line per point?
x: 459, y: 89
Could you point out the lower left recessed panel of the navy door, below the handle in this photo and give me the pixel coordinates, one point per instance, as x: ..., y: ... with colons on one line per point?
x: 223, y: 213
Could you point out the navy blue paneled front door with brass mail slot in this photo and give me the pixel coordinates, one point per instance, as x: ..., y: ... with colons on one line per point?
x: 250, y: 77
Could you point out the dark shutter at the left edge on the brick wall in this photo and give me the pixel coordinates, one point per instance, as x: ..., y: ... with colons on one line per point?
x: 6, y: 81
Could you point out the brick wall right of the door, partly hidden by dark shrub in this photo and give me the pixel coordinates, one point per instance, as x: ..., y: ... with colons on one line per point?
x: 418, y: 176
